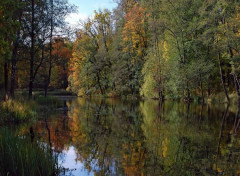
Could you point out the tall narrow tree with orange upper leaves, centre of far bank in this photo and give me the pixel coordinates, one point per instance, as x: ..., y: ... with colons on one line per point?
x: 135, y: 43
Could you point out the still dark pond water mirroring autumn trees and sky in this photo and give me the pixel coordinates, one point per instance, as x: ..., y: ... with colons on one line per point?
x: 113, y: 137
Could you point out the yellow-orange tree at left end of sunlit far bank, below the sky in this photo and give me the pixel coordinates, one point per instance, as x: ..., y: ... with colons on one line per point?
x: 91, y: 52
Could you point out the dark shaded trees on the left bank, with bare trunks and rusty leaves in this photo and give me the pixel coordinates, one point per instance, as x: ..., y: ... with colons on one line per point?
x: 35, y: 47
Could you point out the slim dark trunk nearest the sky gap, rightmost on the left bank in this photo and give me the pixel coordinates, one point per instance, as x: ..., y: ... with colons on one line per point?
x: 50, y: 52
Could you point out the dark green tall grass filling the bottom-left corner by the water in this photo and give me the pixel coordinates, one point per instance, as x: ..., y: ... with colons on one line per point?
x: 20, y: 157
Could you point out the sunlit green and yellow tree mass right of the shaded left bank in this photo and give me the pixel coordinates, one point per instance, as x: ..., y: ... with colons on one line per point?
x: 155, y: 53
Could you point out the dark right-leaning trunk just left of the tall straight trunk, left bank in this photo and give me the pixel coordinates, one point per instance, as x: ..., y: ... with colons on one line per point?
x: 14, y: 63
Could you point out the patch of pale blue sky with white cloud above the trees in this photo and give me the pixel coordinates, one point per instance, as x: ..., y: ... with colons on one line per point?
x: 86, y: 8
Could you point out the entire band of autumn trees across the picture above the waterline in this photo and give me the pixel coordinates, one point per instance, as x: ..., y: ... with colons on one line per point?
x: 161, y: 49
